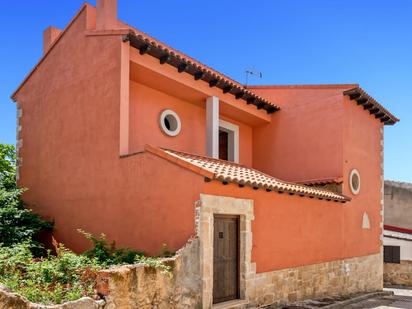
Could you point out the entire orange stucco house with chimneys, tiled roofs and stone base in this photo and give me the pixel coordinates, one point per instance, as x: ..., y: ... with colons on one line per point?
x: 280, y: 185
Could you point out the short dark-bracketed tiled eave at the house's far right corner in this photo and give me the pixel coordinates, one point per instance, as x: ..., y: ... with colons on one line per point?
x: 370, y: 104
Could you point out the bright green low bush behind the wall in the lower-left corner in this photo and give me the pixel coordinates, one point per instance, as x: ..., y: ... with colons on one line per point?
x: 47, y: 280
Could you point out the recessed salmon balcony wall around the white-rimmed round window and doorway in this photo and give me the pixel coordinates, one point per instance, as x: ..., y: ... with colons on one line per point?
x: 147, y: 103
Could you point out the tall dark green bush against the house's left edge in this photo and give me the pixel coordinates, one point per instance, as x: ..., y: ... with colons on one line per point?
x: 17, y: 223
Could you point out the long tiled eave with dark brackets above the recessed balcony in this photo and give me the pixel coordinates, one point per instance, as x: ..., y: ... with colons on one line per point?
x: 183, y: 63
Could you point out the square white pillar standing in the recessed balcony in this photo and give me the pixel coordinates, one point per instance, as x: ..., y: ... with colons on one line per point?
x: 212, y: 127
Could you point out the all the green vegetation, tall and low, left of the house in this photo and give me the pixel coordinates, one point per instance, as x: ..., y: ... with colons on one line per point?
x: 28, y: 269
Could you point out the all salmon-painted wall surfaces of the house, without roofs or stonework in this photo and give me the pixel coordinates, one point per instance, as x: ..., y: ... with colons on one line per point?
x: 71, y: 164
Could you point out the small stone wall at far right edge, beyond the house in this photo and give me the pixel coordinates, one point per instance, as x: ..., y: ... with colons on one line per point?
x: 398, y: 274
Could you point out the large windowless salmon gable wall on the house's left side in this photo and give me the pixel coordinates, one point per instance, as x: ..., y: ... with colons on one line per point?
x: 71, y: 164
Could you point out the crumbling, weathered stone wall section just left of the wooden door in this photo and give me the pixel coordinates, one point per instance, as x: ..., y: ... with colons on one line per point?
x: 140, y: 286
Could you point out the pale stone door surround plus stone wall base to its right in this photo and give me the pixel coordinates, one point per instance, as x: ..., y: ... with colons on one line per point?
x: 335, y: 278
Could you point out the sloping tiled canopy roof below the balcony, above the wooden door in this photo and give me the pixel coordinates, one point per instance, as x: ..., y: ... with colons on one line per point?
x: 229, y: 172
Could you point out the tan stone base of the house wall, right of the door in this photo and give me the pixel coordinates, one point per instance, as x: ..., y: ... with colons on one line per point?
x: 342, y: 277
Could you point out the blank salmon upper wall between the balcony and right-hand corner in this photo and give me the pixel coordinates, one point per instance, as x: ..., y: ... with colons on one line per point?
x: 305, y: 138
